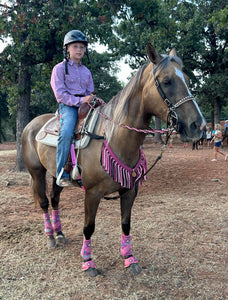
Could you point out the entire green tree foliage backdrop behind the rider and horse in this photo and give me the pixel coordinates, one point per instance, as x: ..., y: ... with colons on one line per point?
x: 197, y: 29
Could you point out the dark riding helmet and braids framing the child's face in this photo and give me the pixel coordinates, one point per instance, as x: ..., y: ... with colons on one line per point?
x: 72, y: 37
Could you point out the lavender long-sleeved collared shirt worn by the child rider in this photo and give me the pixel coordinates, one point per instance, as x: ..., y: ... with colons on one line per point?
x: 78, y: 82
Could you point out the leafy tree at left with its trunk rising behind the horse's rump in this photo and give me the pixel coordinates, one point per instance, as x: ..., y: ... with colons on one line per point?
x: 37, y: 29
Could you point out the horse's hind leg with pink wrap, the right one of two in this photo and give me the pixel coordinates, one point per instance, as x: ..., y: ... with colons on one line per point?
x: 57, y: 226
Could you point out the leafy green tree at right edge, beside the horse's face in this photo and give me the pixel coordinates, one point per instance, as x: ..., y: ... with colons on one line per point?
x: 203, y: 37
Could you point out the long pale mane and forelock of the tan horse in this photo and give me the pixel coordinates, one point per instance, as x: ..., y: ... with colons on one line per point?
x: 117, y: 107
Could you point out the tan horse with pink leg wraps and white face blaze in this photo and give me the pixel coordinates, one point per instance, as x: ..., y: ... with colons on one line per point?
x: 158, y: 88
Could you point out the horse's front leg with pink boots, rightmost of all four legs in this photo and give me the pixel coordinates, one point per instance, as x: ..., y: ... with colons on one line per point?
x: 126, y: 202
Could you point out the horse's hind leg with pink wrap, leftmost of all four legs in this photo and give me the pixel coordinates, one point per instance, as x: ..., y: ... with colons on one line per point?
x: 39, y: 191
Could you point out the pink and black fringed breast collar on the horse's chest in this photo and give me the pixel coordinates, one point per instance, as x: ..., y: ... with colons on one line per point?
x: 121, y: 173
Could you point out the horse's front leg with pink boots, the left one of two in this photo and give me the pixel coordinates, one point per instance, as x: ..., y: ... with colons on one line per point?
x: 91, y: 205
